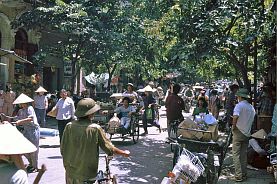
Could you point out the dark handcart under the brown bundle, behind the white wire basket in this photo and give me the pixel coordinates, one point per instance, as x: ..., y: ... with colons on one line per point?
x: 211, y: 153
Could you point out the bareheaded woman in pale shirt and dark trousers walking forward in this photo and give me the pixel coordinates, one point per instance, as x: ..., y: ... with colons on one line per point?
x: 65, y: 111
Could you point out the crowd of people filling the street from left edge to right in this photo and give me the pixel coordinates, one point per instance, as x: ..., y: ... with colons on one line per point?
x: 77, y: 126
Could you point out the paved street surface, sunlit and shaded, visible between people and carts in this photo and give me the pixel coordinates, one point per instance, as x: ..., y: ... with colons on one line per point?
x: 149, y: 162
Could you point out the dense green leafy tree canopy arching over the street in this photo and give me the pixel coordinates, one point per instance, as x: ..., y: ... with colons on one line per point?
x: 202, y: 39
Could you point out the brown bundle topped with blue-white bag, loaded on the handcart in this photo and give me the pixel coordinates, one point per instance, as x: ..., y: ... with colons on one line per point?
x: 204, y: 128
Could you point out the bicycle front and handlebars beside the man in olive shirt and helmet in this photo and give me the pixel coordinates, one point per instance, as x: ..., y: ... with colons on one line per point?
x: 104, y: 177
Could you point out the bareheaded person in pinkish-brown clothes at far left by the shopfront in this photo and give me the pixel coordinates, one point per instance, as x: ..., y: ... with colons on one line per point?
x: 9, y: 97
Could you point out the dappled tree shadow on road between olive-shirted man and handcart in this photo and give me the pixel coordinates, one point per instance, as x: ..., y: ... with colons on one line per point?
x: 149, y: 162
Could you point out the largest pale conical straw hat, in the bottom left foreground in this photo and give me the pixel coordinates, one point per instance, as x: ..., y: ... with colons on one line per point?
x: 13, y: 142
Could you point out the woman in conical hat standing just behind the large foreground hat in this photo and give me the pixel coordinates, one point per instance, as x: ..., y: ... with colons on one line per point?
x: 26, y: 117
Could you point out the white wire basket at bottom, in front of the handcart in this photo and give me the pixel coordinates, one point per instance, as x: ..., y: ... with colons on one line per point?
x: 189, y: 165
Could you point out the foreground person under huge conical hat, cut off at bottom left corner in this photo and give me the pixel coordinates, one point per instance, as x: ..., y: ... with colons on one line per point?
x: 12, y: 145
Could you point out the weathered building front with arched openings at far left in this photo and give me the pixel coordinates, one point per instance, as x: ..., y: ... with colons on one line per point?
x: 25, y: 43
